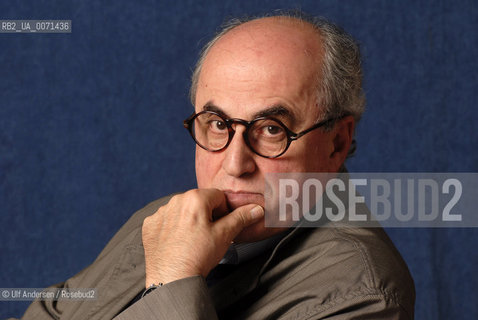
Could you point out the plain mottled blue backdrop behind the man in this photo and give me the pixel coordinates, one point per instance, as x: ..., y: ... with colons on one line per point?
x: 91, y: 125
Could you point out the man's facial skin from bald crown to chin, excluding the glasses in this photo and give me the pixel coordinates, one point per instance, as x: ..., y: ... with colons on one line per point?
x: 264, y: 67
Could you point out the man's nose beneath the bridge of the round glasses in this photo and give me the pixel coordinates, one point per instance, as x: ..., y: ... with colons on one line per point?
x: 239, y: 159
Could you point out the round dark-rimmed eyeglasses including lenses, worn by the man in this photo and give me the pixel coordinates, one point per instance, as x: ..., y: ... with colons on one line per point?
x: 265, y: 136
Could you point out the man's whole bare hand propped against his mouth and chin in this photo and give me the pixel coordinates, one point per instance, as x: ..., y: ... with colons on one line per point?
x: 191, y: 234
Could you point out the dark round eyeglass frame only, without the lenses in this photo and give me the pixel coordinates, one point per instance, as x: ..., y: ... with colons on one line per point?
x: 291, y: 136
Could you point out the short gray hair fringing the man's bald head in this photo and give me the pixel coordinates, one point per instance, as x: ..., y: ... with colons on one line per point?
x: 339, y: 85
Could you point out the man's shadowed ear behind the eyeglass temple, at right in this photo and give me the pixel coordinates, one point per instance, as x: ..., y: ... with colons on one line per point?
x: 343, y: 133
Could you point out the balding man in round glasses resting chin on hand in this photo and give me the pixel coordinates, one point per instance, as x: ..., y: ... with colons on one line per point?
x: 275, y: 94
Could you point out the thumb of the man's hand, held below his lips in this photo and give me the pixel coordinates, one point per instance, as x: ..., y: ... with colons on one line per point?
x: 233, y: 223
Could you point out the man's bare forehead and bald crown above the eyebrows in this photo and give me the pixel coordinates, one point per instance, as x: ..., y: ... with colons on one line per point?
x: 260, y: 64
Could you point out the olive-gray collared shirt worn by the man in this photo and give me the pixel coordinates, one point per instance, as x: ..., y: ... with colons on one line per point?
x: 312, y: 273
